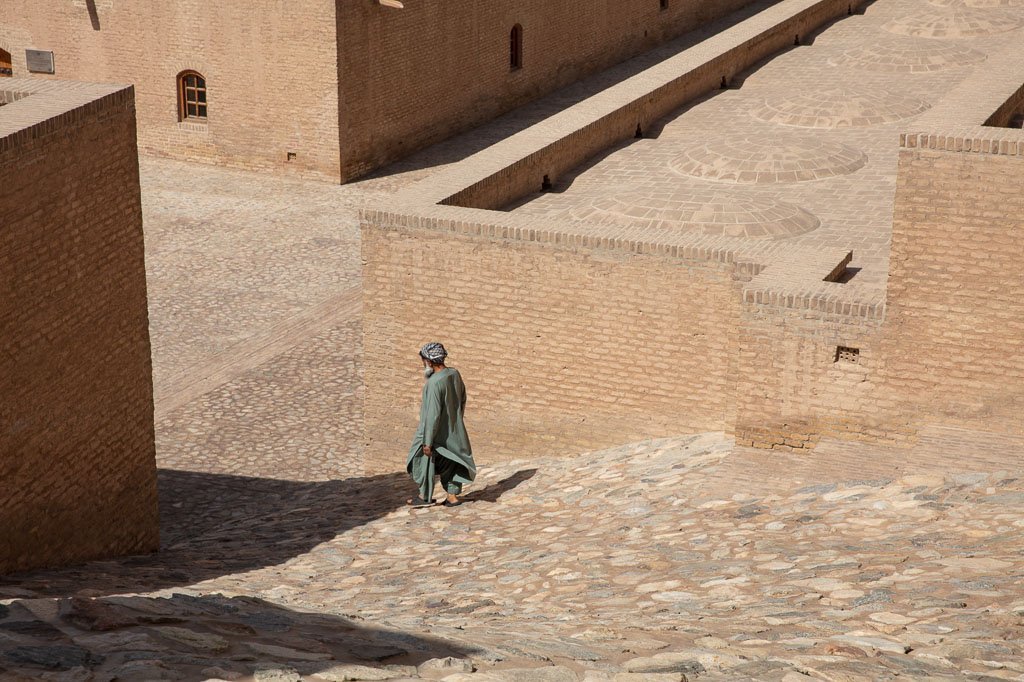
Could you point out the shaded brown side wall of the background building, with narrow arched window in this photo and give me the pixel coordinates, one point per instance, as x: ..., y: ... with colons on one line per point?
x: 413, y: 77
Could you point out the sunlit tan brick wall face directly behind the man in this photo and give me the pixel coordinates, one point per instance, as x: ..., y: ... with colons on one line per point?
x: 563, y: 349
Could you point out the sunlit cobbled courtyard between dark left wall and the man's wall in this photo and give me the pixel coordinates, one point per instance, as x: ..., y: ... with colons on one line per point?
x: 254, y: 313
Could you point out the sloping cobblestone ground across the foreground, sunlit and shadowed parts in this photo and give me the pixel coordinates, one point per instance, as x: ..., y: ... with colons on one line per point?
x: 637, y: 561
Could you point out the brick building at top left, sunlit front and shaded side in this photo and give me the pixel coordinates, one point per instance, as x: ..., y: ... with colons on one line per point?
x: 348, y: 87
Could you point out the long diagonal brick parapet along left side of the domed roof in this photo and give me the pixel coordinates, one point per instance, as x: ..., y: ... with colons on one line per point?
x: 518, y: 165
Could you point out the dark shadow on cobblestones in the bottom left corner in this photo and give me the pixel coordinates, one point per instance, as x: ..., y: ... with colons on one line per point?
x: 196, y: 638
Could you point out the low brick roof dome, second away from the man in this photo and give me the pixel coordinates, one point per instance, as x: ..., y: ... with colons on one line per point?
x: 764, y: 161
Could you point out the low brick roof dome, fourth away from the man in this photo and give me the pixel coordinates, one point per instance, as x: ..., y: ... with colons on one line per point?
x: 901, y: 57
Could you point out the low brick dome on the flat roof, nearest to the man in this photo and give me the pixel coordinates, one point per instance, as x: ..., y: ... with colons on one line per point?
x: 686, y: 211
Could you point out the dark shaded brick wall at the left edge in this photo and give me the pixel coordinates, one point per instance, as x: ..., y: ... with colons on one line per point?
x: 77, y: 454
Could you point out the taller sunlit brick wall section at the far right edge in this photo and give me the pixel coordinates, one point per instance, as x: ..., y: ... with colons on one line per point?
x: 955, y: 334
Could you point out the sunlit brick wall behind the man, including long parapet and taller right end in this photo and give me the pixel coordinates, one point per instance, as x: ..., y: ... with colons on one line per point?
x: 780, y: 346
